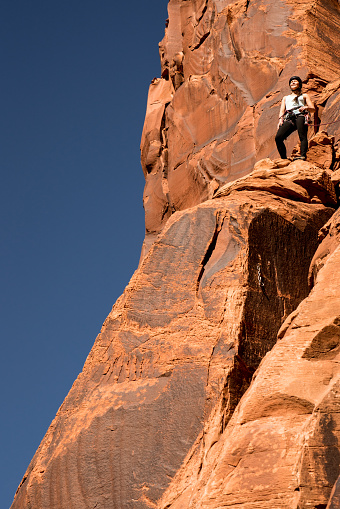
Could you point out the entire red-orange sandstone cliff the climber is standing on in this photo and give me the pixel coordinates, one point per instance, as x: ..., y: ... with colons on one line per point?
x: 214, y: 381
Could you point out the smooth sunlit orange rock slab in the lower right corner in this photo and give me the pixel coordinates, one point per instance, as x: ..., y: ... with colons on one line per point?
x: 280, y: 448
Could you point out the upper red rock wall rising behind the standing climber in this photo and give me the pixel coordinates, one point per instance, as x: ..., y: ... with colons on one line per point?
x: 225, y: 69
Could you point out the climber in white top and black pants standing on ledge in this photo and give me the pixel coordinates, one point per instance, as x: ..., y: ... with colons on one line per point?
x: 294, y: 116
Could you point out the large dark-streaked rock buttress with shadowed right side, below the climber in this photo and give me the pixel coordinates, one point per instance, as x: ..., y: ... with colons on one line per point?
x: 177, y: 347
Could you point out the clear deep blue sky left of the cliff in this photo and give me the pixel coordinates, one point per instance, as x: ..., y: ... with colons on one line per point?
x: 74, y: 82
